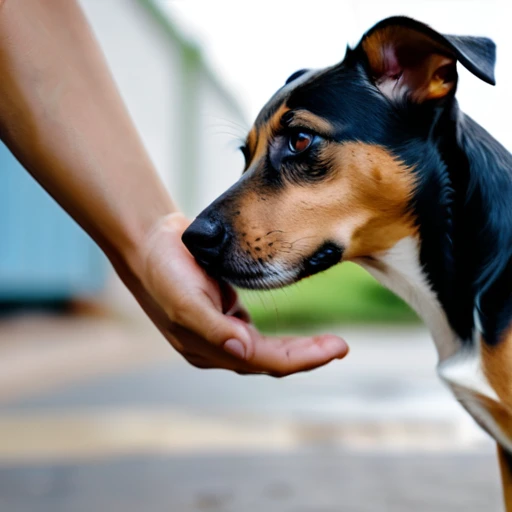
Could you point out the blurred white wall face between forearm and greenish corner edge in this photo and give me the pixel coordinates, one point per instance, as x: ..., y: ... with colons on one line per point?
x: 145, y: 67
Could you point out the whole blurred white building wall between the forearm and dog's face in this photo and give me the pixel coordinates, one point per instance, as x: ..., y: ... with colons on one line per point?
x: 146, y: 65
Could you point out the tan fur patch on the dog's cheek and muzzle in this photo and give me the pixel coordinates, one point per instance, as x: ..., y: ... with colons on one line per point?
x: 361, y: 205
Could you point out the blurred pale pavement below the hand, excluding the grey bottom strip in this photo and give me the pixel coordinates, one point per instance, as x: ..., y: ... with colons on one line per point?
x: 116, y: 388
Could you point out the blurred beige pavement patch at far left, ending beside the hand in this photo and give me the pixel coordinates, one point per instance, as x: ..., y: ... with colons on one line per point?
x: 43, y: 352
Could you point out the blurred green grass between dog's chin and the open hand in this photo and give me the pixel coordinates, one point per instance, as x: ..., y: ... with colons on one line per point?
x: 343, y: 294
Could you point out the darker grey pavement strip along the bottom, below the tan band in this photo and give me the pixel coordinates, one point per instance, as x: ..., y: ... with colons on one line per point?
x: 303, y: 482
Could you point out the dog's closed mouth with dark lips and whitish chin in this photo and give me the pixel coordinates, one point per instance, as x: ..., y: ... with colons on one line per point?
x: 254, y: 275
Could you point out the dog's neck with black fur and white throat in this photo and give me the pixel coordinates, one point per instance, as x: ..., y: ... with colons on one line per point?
x: 458, y: 277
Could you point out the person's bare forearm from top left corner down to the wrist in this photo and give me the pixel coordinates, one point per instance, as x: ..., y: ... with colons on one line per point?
x: 61, y: 115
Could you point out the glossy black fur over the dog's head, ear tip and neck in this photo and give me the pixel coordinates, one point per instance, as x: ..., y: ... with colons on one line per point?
x: 463, y: 201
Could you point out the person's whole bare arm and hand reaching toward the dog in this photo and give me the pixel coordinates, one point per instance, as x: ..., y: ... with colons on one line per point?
x: 61, y: 115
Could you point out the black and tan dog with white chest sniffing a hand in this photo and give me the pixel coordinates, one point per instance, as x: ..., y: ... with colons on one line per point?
x: 372, y: 161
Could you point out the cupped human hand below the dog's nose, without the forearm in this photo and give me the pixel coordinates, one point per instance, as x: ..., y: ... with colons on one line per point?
x: 204, y: 320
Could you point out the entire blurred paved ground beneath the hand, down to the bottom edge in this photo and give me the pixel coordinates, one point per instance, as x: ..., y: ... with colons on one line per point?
x: 101, y: 415
